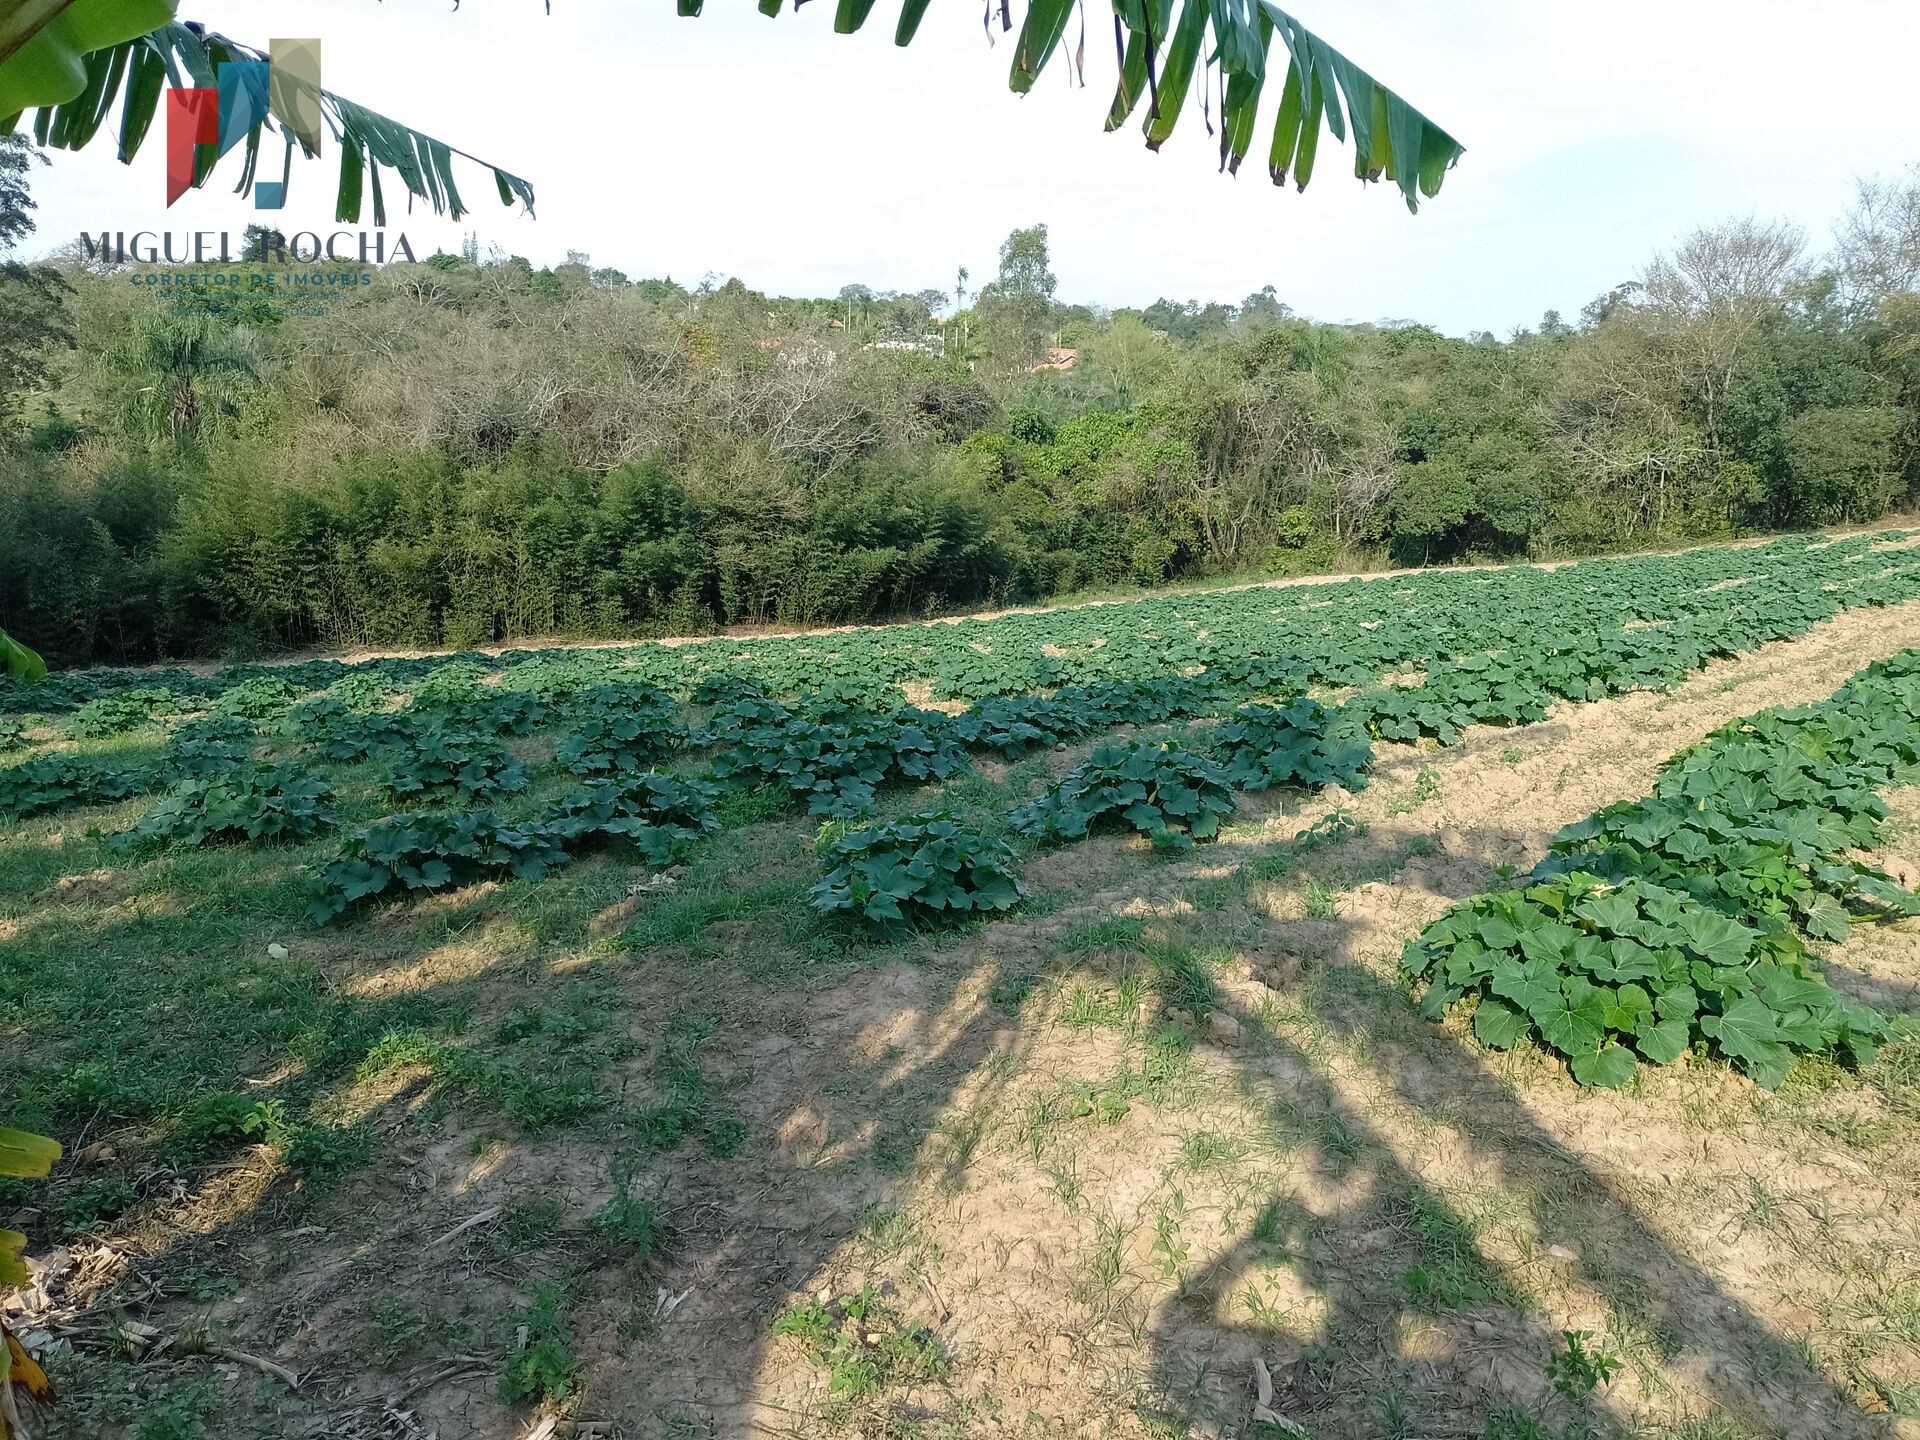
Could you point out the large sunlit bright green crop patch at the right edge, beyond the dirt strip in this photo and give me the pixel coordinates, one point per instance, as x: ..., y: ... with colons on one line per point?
x: 1669, y: 923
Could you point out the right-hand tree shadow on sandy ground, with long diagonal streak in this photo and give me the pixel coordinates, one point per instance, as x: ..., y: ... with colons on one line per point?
x: 1752, y: 1374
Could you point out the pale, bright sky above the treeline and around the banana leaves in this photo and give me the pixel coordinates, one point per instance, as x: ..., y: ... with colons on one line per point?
x: 802, y: 160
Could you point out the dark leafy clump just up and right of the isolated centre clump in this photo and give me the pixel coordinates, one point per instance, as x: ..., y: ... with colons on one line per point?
x: 1166, y: 794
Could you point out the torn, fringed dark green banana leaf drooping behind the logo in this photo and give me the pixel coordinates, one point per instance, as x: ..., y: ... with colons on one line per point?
x: 139, y: 70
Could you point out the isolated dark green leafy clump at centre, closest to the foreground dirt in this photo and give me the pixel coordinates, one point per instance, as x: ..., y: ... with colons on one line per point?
x: 924, y: 867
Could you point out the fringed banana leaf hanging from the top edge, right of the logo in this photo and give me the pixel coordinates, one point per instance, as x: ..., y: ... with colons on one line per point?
x: 1232, y: 45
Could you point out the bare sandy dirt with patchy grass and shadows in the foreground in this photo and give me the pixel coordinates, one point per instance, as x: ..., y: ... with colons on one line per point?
x: 1109, y: 1220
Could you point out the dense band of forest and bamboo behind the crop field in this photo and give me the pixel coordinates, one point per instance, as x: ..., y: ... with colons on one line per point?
x: 473, y: 450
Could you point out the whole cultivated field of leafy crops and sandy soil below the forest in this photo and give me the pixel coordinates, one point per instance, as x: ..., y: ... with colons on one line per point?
x: 1312, y: 1011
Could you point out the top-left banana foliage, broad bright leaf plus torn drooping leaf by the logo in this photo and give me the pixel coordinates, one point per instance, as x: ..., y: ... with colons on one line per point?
x: 72, y: 60
